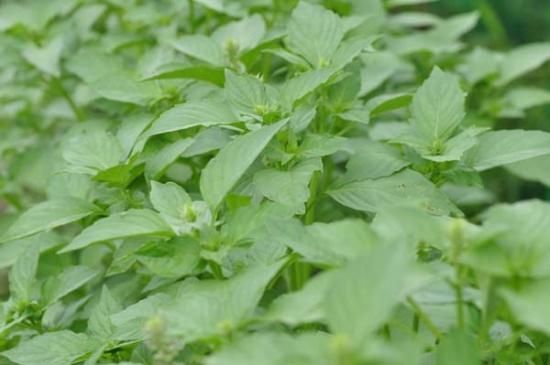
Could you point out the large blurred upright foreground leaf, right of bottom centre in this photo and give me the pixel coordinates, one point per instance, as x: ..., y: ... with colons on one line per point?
x: 364, y: 293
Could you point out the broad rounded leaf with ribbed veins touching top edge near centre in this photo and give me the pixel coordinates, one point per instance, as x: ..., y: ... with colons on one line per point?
x: 315, y: 33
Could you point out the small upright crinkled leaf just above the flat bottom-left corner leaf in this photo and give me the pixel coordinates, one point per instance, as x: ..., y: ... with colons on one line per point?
x: 99, y: 323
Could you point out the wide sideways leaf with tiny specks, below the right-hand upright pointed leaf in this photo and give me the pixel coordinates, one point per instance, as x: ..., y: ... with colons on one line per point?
x: 406, y: 188
